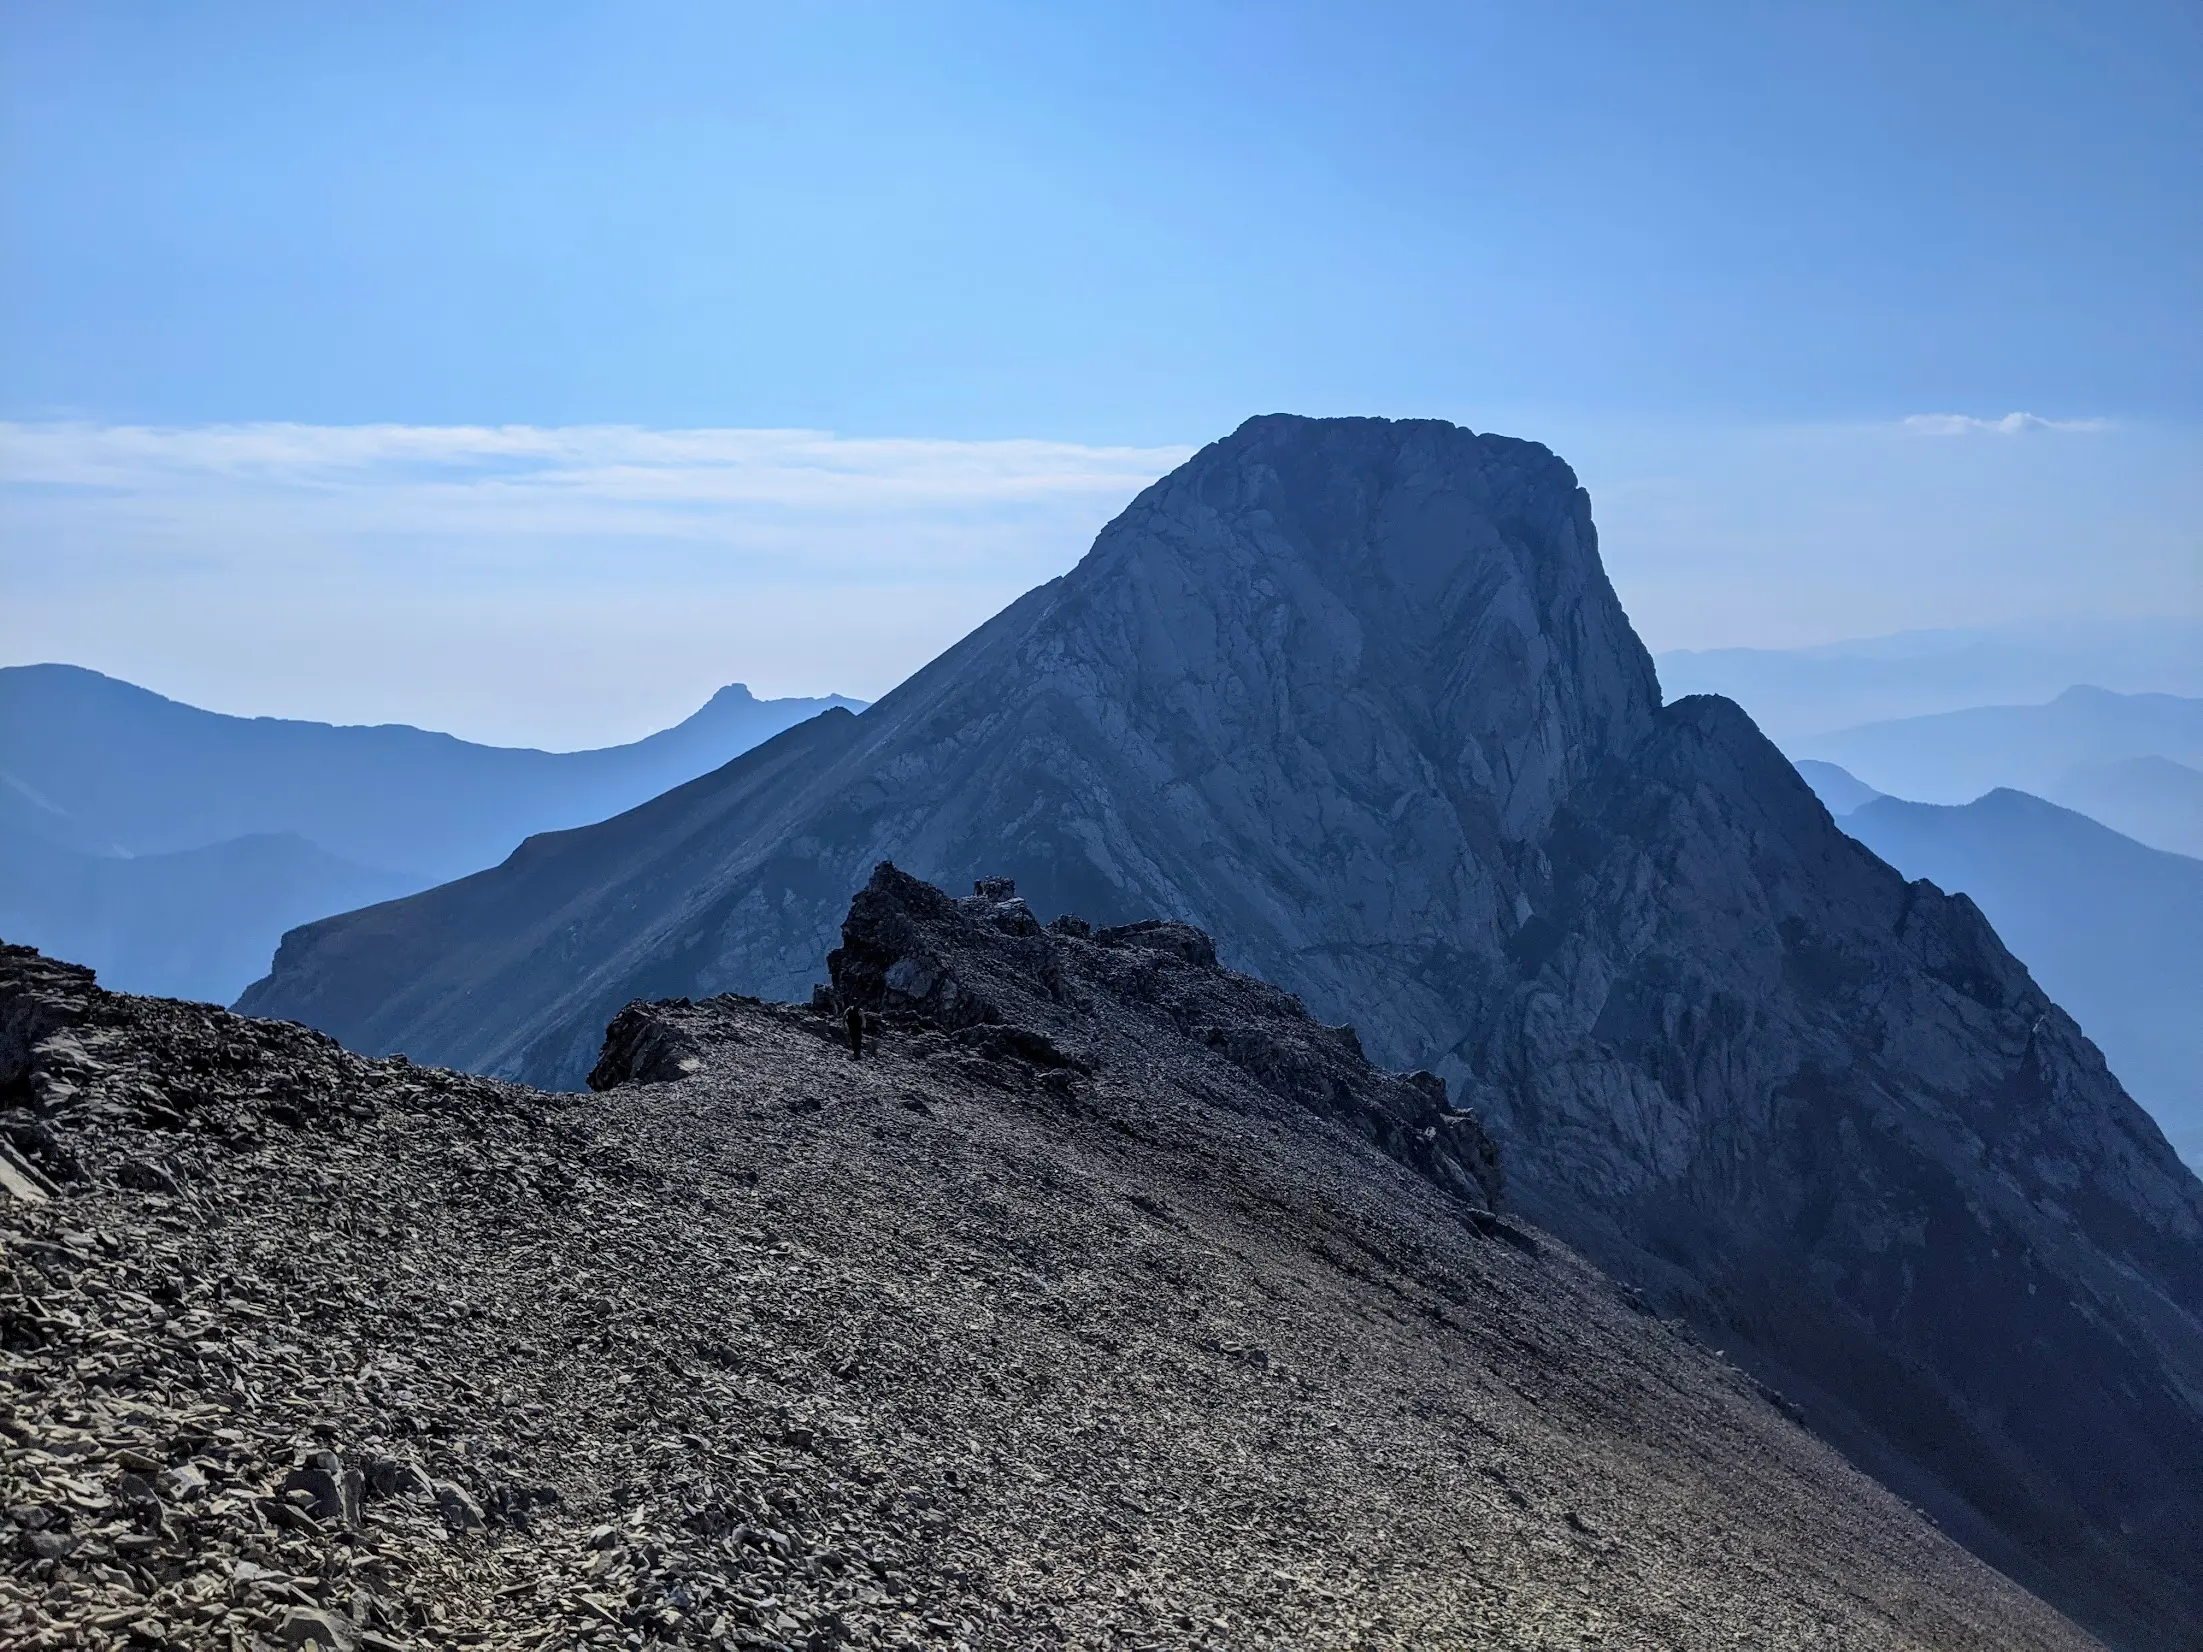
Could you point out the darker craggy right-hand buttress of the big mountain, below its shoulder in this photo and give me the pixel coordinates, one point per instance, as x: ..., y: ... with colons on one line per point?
x: 1825, y: 1113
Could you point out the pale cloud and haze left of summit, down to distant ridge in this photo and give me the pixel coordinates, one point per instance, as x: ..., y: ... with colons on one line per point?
x: 550, y: 585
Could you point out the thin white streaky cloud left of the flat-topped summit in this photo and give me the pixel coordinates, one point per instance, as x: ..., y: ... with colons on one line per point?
x: 680, y: 503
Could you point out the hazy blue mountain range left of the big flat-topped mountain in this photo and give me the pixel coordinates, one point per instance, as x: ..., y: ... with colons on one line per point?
x: 173, y: 847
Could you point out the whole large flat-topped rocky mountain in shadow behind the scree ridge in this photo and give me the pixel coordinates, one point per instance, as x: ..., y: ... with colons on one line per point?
x: 1358, y: 699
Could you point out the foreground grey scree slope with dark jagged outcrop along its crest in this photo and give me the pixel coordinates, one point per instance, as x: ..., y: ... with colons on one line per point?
x: 1107, y: 1301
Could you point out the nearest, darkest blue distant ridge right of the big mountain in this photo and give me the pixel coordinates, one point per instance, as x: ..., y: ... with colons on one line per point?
x: 2109, y: 926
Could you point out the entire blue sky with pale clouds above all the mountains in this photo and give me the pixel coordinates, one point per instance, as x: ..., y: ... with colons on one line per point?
x: 534, y: 369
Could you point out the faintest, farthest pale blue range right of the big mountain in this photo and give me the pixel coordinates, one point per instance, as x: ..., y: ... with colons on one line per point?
x: 1799, y: 693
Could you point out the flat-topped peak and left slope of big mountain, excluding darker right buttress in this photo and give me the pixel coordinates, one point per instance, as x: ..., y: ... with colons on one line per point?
x: 1318, y: 693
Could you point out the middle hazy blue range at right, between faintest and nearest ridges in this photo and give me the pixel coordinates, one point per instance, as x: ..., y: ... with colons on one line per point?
x: 2131, y: 761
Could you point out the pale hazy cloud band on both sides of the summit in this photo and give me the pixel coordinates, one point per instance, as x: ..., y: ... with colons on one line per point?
x: 592, y: 583
